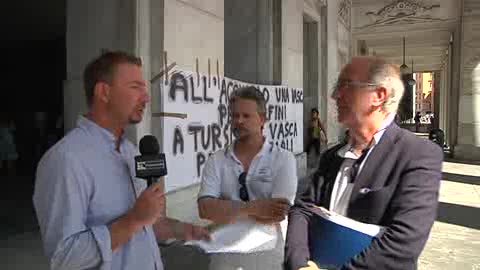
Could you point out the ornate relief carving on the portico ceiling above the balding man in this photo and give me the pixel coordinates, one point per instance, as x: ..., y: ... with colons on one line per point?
x: 402, y: 12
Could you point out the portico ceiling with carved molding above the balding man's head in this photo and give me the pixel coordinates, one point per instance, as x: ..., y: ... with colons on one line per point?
x: 426, y: 25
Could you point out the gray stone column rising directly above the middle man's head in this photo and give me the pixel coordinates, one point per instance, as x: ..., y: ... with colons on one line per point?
x: 251, y: 41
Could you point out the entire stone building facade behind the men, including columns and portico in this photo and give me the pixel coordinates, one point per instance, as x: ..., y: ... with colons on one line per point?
x: 301, y: 44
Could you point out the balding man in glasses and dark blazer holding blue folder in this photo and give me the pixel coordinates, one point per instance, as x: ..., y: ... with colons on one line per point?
x: 383, y: 175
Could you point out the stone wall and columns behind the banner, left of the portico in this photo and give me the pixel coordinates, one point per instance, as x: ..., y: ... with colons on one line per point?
x: 300, y: 44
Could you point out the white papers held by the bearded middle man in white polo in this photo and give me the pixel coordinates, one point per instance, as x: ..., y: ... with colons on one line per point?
x: 241, y: 237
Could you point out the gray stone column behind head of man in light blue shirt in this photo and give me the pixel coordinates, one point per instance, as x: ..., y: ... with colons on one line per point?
x: 91, y: 27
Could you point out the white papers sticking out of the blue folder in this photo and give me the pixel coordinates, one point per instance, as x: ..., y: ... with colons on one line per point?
x: 370, y: 229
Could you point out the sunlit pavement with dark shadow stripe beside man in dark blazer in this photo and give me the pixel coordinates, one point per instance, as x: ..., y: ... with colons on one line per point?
x: 454, y: 242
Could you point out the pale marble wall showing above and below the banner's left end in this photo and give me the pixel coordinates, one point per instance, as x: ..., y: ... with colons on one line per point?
x: 191, y: 29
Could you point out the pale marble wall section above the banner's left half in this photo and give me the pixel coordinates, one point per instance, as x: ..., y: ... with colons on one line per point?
x: 194, y: 29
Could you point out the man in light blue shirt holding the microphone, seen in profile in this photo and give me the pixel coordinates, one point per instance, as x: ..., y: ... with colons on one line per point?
x: 93, y: 213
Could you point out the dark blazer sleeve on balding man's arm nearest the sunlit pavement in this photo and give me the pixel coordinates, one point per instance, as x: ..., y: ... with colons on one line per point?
x: 413, y: 210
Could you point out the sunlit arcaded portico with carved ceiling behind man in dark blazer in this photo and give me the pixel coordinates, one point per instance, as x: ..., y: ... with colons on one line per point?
x: 442, y: 36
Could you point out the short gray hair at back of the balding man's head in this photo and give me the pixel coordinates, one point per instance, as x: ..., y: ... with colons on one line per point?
x: 387, y: 75
